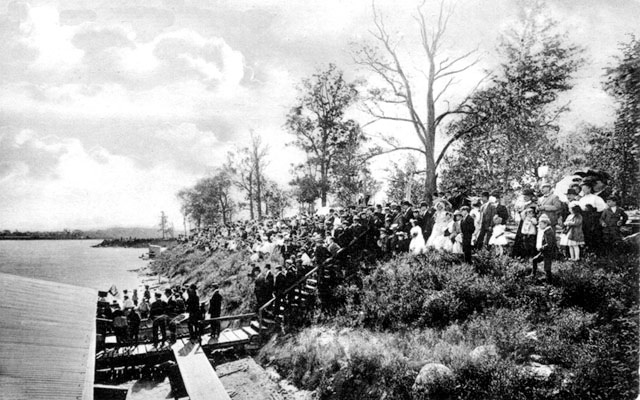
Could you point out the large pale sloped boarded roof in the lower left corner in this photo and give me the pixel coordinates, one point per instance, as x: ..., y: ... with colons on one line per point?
x: 47, y: 339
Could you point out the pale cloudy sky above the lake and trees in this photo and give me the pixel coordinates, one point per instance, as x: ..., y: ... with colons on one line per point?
x: 108, y: 108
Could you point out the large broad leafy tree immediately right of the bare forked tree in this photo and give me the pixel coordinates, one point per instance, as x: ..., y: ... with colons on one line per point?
x: 513, y: 129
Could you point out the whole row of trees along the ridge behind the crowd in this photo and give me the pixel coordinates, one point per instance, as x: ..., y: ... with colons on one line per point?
x: 496, y: 137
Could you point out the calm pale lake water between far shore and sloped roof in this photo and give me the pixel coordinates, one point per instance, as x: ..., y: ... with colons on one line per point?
x: 73, y: 262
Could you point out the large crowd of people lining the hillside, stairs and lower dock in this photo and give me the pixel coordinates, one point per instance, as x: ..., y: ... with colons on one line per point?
x: 526, y: 225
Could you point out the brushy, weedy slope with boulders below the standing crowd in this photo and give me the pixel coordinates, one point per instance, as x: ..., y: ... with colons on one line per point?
x: 575, y: 339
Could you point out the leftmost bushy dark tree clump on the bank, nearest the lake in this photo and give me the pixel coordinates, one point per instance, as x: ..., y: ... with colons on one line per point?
x: 209, y: 200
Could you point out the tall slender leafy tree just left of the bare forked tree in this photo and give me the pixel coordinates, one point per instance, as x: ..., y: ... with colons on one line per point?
x: 320, y: 128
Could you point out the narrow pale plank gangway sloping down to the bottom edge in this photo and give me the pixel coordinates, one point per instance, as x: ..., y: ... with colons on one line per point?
x: 200, y: 380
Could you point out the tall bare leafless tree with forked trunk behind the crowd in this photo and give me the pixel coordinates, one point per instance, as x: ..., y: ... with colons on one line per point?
x: 399, y: 90
